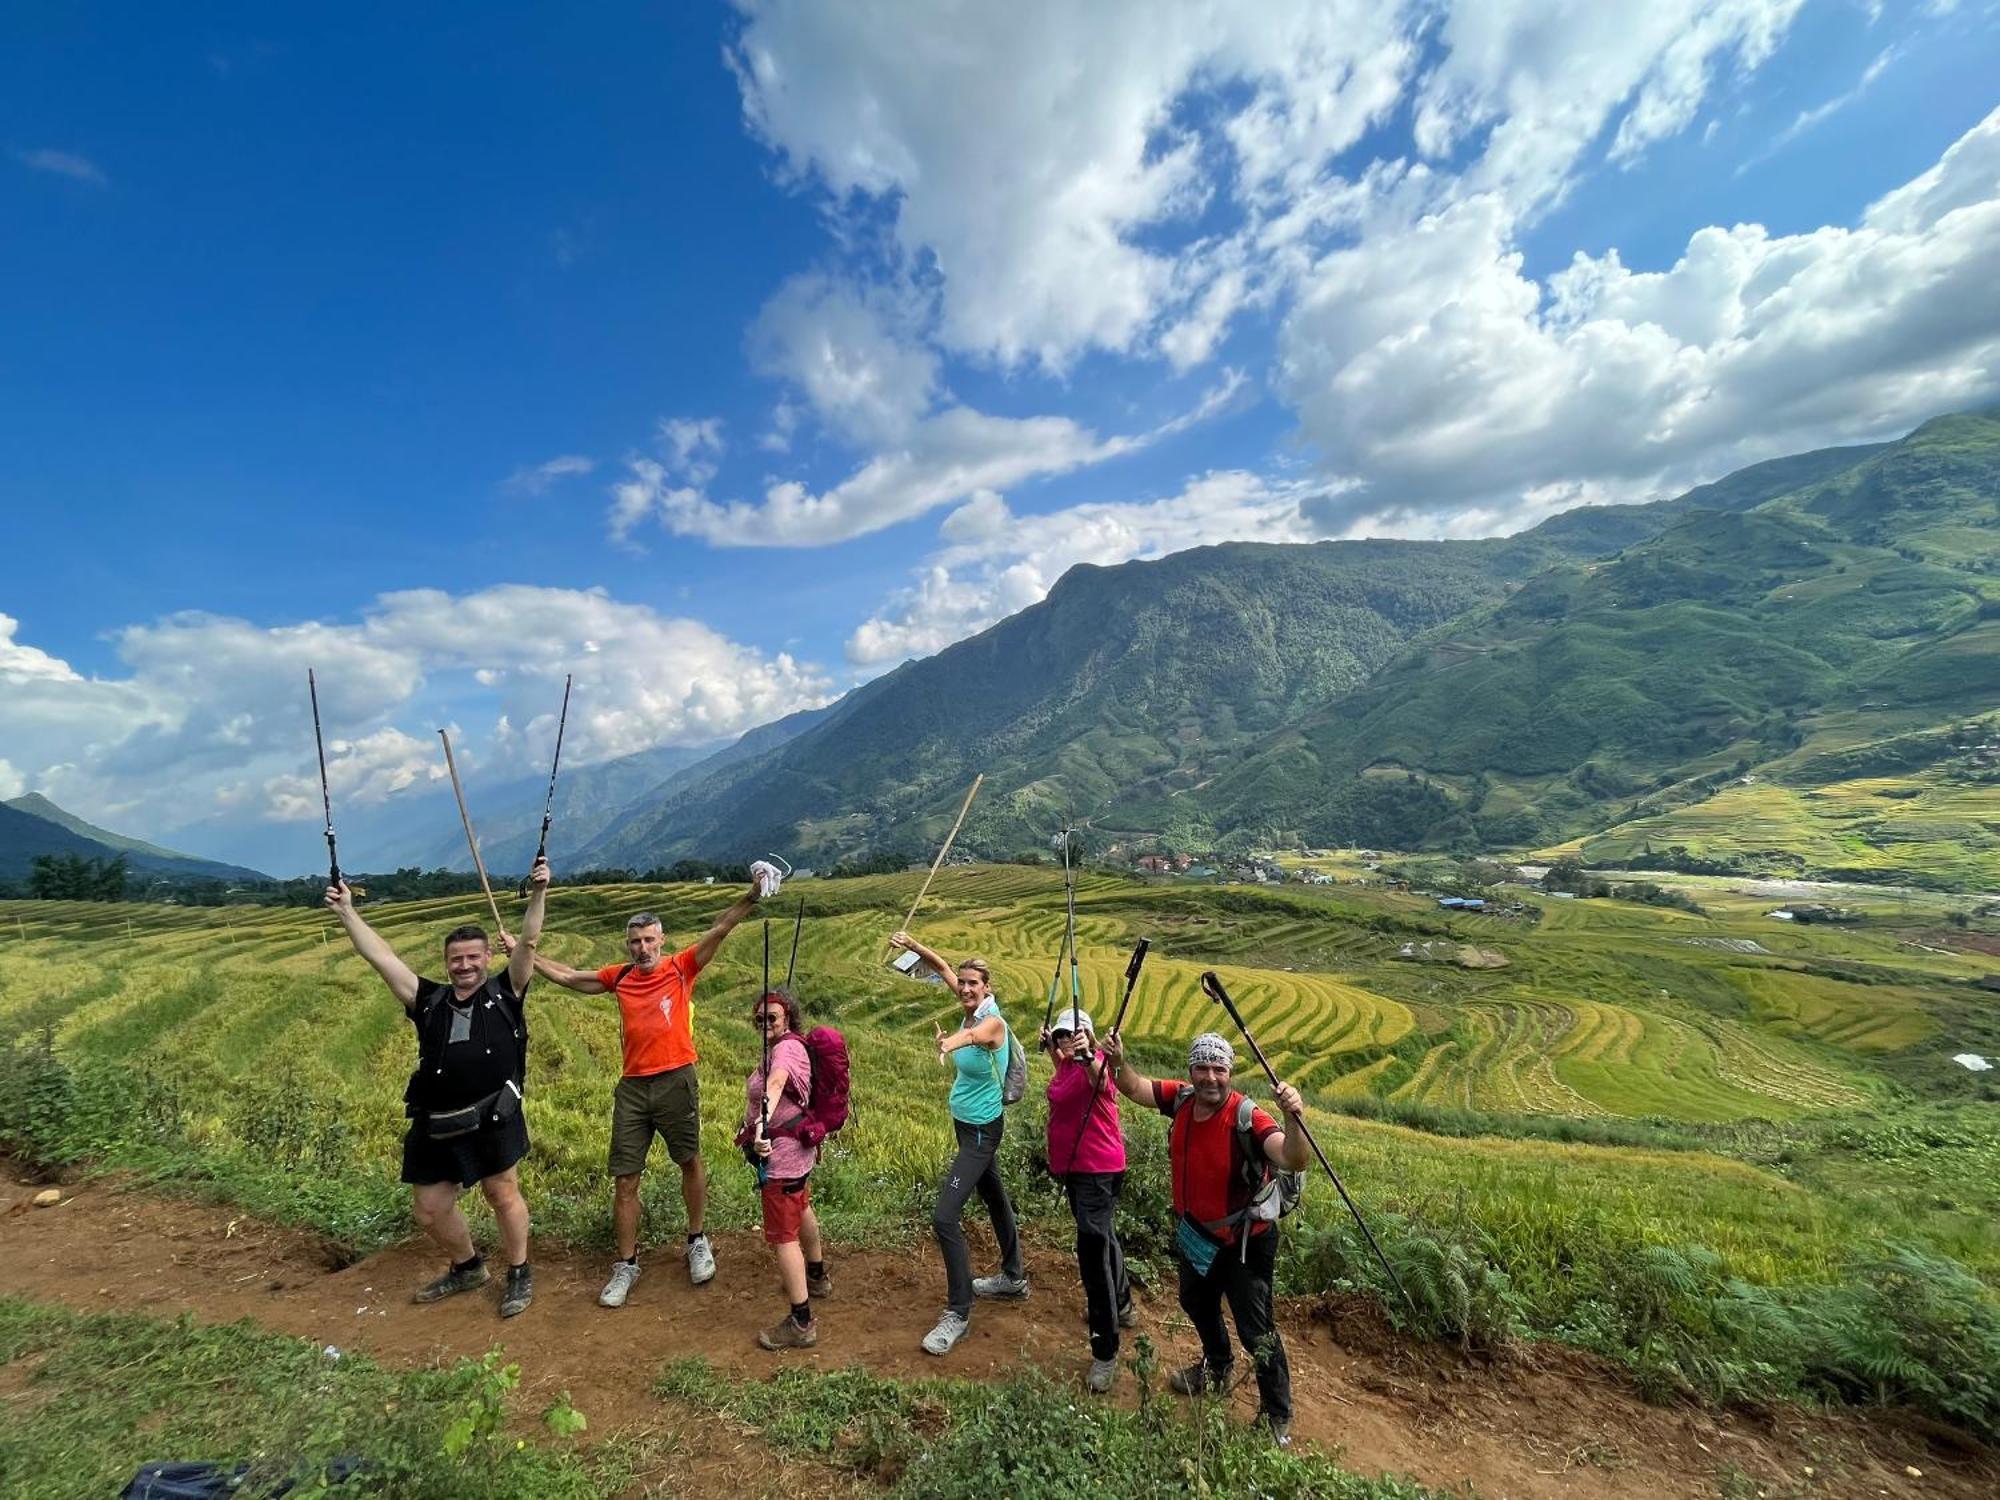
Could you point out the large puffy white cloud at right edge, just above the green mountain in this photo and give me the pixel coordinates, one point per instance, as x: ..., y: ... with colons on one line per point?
x: 1427, y: 363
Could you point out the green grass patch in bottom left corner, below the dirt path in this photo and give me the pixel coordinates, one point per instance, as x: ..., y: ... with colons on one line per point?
x: 95, y: 1397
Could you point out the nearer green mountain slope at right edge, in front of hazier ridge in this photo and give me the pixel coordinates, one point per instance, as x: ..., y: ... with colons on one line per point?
x: 1855, y: 609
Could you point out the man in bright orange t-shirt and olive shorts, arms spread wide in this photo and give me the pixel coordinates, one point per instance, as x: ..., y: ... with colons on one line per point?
x: 659, y: 1091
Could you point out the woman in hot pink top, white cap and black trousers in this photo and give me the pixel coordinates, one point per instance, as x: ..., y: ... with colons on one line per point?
x: 1087, y: 1153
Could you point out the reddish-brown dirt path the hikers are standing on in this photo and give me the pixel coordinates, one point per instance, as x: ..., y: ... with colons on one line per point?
x: 1551, y: 1423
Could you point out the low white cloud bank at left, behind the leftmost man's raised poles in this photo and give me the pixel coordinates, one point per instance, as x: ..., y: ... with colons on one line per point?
x: 211, y: 713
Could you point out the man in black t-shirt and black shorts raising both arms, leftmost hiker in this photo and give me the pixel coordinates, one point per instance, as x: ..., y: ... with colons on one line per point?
x: 467, y: 1091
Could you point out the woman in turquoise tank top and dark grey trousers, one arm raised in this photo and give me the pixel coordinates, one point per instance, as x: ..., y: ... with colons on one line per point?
x: 977, y: 1055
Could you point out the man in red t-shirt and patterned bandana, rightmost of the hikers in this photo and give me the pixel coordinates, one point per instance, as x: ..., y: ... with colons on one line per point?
x: 1223, y: 1247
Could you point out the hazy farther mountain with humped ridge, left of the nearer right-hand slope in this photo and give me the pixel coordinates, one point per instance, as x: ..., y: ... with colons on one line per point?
x: 1119, y: 693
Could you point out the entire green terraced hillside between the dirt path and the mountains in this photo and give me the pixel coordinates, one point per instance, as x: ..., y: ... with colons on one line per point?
x: 1755, y: 1097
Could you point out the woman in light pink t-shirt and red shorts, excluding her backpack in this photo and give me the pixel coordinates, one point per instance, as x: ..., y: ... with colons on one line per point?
x: 785, y: 1167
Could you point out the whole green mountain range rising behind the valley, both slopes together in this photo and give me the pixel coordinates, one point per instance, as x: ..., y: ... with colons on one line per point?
x: 1605, y: 669
